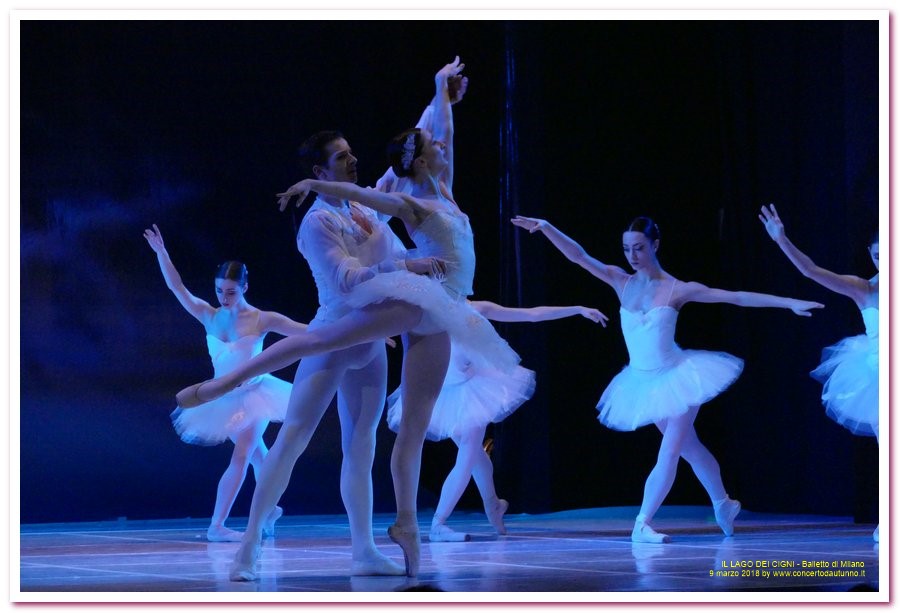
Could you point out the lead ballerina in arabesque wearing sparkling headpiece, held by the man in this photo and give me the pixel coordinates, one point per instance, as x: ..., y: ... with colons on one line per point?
x: 428, y: 313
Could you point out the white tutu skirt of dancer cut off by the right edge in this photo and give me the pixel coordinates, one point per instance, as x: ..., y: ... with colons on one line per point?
x: 849, y: 372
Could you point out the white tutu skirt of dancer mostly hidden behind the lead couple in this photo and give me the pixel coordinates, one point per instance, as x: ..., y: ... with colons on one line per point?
x: 471, y: 397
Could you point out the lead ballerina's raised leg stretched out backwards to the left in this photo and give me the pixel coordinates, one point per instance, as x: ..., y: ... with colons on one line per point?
x: 373, y: 323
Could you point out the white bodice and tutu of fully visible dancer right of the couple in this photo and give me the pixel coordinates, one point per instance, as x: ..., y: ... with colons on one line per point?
x: 662, y: 380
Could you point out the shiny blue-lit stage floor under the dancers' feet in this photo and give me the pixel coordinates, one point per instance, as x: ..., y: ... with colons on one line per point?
x: 585, y: 550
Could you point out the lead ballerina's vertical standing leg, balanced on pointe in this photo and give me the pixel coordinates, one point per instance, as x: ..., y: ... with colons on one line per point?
x: 424, y: 367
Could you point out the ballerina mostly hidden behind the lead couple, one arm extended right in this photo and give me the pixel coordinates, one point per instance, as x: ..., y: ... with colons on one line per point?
x: 470, y: 399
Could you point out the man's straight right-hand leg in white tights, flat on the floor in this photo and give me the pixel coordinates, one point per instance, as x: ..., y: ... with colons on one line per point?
x: 360, y: 406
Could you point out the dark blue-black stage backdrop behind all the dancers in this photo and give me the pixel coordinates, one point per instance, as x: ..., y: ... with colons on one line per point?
x: 193, y: 125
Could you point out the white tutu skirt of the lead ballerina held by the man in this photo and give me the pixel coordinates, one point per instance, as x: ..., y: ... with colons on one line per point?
x: 468, y: 329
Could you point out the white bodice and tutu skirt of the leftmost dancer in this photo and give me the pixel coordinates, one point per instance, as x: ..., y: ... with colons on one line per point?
x: 263, y: 398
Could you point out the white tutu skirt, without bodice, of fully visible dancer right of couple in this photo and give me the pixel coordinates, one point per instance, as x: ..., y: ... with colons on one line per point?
x: 635, y: 398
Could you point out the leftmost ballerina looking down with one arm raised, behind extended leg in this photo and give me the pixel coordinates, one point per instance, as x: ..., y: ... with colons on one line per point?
x: 234, y: 333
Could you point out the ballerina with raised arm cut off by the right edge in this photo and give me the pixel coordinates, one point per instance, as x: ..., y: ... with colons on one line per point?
x: 849, y: 368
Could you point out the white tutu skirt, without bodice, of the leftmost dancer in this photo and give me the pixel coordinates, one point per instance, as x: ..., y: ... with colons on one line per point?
x: 262, y: 398
